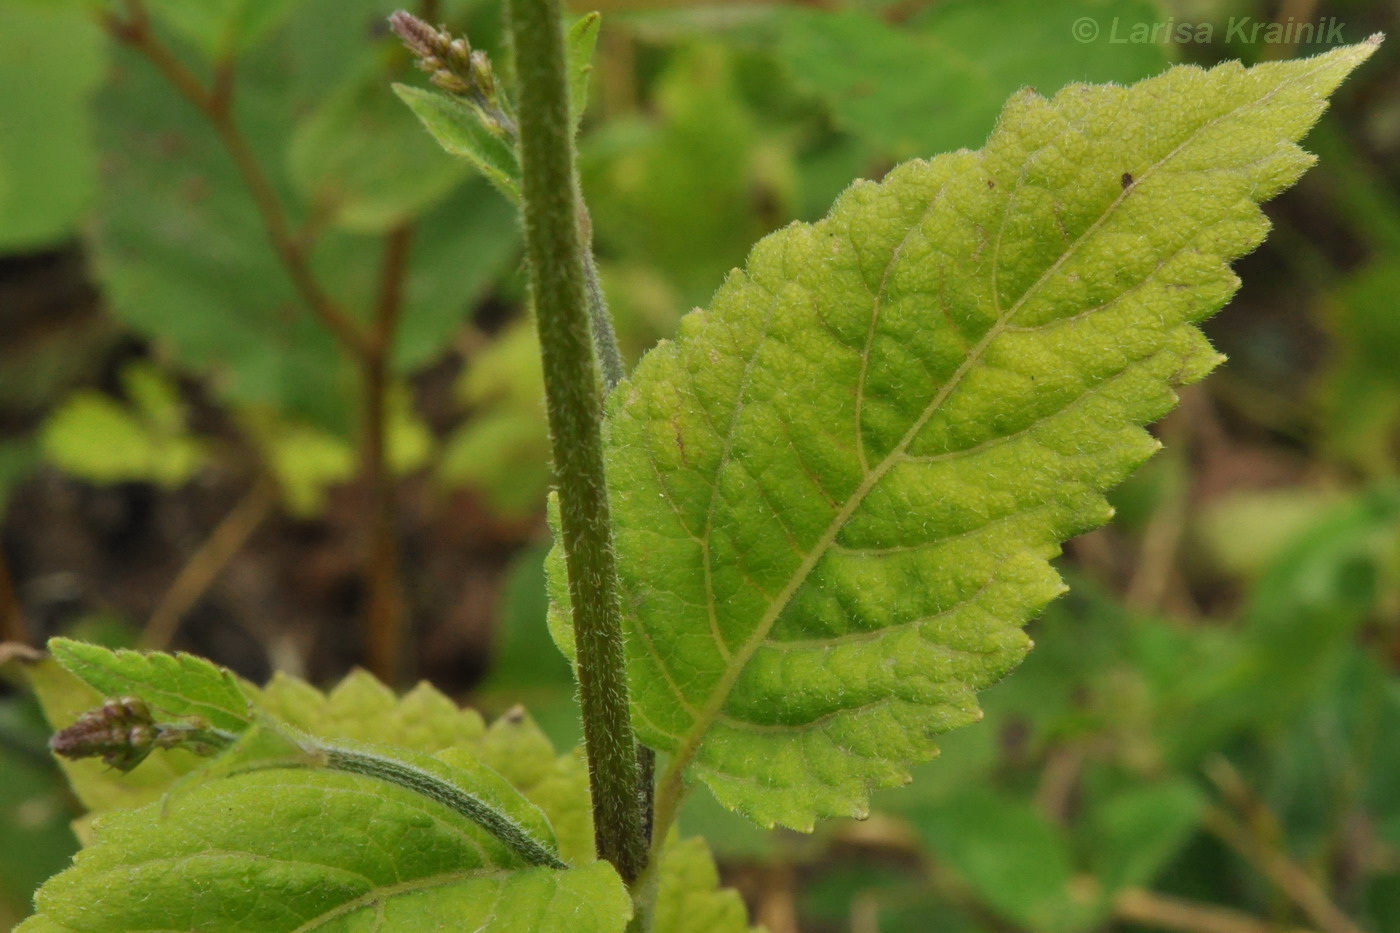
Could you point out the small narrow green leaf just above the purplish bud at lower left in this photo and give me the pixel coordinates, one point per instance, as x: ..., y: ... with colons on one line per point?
x: 174, y: 684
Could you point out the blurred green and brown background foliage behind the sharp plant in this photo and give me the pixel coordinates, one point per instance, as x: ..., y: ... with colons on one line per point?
x: 269, y: 393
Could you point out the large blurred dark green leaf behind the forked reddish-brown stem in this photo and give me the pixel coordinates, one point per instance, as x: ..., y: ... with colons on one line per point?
x: 185, y: 258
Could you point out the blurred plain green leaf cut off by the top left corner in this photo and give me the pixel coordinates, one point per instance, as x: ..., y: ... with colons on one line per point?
x: 52, y: 58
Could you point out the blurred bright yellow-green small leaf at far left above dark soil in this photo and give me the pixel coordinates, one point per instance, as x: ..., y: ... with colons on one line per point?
x: 96, y: 438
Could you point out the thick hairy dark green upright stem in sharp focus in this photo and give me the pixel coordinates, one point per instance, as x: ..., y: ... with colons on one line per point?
x: 572, y: 390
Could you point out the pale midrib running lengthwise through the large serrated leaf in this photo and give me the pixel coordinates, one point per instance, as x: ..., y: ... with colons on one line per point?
x: 689, y: 746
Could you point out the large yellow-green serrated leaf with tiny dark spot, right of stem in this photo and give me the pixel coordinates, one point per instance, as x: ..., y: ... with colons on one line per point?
x: 838, y: 492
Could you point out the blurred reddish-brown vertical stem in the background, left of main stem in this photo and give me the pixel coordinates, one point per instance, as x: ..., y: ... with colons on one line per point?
x: 386, y: 617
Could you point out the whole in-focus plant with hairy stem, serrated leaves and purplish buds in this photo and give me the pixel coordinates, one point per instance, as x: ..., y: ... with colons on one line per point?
x: 790, y: 547
